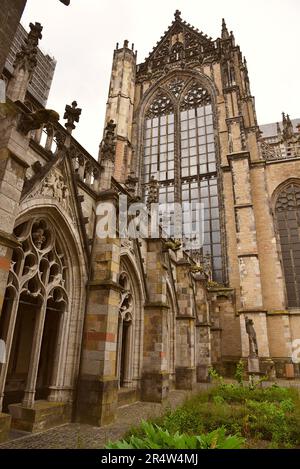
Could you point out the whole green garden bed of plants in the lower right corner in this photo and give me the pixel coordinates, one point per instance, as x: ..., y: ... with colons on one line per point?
x: 256, y: 413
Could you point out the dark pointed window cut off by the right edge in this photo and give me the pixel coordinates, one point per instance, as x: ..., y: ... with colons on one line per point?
x: 287, y: 212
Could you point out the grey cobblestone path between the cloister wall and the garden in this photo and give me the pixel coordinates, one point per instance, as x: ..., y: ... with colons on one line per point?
x: 75, y: 435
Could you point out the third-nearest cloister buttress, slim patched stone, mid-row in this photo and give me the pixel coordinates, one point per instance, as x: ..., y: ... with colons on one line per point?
x: 185, y: 370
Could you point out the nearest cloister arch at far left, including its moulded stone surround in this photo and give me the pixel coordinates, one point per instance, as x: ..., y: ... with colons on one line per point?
x: 45, y: 300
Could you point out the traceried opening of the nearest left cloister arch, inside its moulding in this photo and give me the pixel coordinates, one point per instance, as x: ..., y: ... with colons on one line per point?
x: 34, y: 315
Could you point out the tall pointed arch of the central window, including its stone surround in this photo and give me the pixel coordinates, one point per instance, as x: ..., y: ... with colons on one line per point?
x: 181, y: 150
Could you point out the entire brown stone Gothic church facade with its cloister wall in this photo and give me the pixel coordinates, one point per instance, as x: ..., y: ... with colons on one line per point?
x: 90, y: 321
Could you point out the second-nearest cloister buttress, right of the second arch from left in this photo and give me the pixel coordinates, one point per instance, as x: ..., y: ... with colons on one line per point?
x: 155, y: 377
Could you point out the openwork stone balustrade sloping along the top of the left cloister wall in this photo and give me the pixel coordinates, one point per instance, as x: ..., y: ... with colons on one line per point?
x: 86, y: 168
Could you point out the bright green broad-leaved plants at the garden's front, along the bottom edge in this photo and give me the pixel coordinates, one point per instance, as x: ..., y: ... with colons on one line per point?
x: 157, y: 438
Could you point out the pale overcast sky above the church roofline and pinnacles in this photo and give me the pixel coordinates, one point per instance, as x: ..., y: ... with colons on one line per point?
x: 83, y: 35
